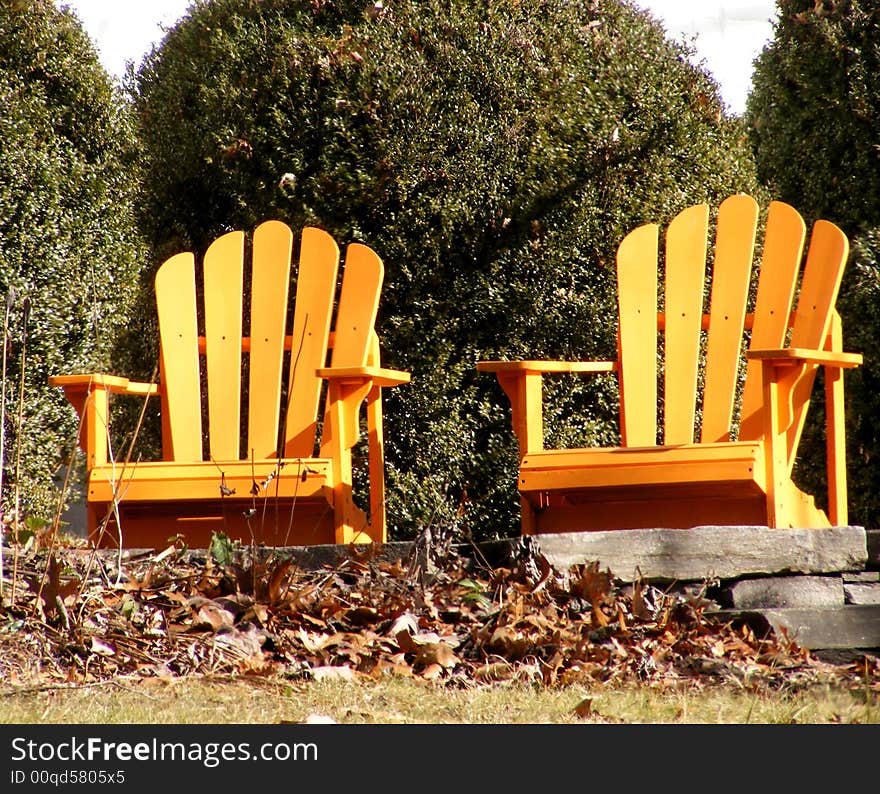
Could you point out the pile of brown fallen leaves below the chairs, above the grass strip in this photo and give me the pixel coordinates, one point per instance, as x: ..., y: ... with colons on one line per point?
x: 74, y: 615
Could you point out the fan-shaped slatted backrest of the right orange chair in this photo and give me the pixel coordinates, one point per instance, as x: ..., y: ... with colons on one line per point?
x: 712, y: 344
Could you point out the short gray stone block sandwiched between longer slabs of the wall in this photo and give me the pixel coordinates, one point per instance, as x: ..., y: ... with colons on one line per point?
x: 787, y: 591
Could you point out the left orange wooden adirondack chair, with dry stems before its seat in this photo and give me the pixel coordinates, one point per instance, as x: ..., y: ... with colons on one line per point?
x: 287, y: 483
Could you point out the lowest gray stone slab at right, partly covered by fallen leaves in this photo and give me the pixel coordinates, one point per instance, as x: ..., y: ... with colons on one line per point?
x: 850, y: 626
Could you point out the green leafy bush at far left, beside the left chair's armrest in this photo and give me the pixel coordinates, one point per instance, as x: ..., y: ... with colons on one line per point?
x: 67, y: 247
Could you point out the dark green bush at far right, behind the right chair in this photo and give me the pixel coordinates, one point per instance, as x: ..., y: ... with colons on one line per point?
x: 814, y: 117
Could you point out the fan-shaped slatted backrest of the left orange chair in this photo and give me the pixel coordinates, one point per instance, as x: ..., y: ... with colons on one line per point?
x: 272, y: 346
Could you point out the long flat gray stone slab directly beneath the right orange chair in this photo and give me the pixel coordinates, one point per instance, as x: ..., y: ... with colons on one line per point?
x: 709, y: 552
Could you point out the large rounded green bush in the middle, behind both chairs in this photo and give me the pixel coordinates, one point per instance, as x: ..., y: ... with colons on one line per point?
x: 492, y: 153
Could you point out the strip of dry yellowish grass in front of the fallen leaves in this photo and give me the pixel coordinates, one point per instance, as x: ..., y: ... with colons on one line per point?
x: 410, y: 701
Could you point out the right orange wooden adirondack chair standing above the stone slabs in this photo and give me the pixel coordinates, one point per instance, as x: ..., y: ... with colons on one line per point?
x: 696, y: 474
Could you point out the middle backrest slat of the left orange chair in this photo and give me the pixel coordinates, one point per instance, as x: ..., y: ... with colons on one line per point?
x: 270, y: 279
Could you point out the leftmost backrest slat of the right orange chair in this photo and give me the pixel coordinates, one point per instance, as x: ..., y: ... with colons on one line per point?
x: 637, y: 335
